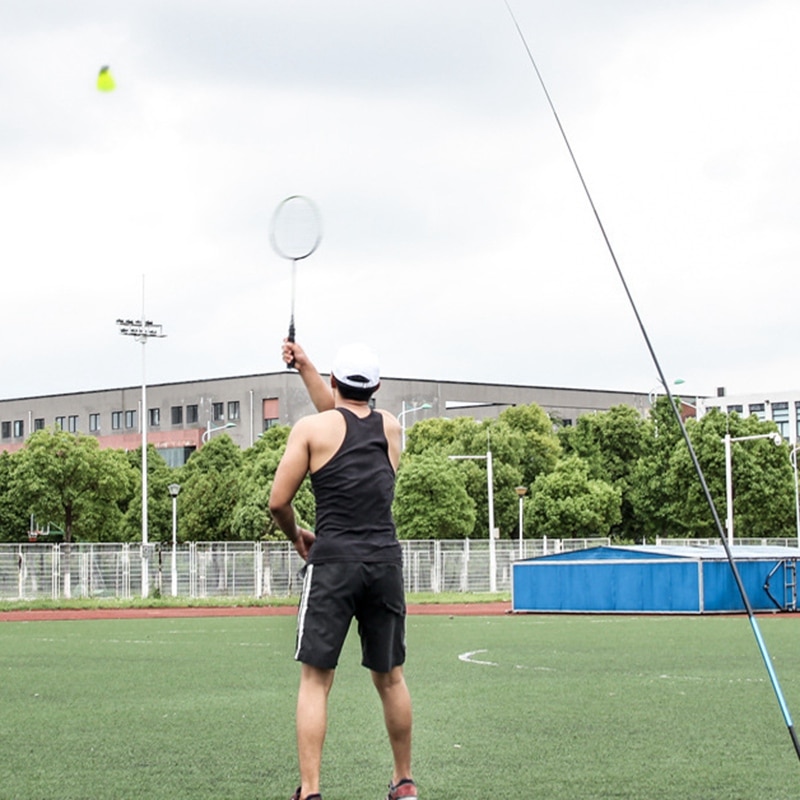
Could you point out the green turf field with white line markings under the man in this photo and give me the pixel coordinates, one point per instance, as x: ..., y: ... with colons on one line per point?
x: 545, y: 707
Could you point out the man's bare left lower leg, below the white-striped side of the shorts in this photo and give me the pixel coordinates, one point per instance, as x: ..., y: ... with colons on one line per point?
x: 311, y: 722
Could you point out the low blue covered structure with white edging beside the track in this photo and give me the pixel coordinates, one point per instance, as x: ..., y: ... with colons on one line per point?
x: 655, y: 579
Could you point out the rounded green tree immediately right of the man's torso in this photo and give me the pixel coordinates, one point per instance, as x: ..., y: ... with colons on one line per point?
x: 431, y: 501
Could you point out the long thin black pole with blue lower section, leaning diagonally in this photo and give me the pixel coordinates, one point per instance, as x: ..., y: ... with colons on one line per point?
x: 787, y: 717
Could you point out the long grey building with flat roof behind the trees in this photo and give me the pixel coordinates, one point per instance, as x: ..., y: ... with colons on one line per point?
x: 181, y: 416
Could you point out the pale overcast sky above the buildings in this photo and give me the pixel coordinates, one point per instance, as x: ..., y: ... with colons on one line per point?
x: 457, y: 238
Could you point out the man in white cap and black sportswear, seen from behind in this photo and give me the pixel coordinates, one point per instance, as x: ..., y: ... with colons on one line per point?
x: 353, y: 559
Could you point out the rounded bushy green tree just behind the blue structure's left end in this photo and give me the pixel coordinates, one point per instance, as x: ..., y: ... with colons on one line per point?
x: 567, y: 503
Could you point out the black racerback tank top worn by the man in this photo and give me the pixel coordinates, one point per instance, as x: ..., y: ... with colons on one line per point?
x: 354, y: 493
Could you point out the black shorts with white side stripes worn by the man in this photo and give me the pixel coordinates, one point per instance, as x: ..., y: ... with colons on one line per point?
x: 336, y: 592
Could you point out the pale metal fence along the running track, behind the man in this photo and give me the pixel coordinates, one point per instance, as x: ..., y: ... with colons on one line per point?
x: 242, y: 569
